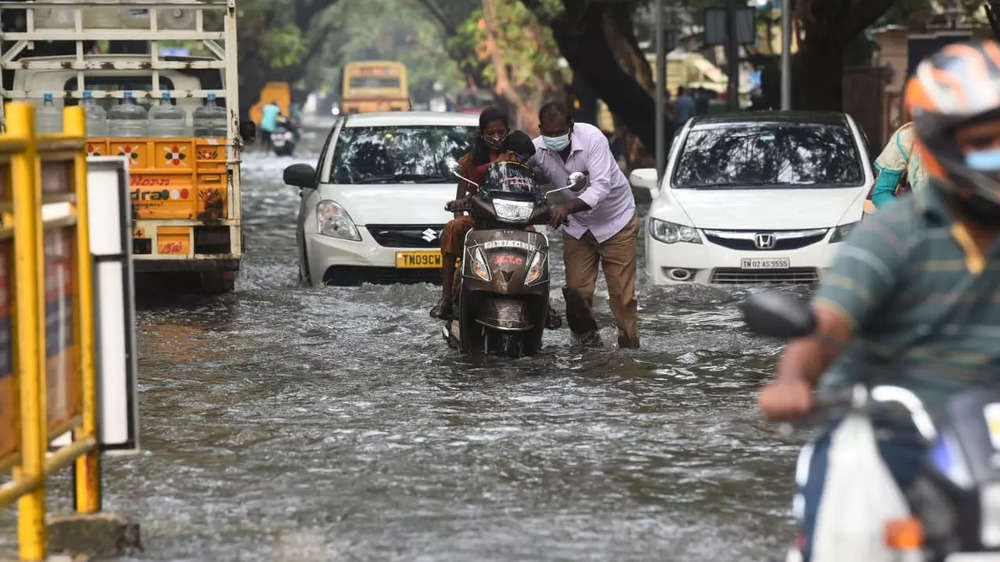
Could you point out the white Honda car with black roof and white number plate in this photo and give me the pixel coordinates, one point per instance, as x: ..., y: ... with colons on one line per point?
x: 755, y: 198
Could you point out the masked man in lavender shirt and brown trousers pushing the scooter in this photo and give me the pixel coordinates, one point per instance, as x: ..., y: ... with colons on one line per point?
x: 601, y: 225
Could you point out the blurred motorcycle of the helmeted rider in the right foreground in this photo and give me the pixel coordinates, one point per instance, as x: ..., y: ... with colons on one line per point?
x: 954, y: 505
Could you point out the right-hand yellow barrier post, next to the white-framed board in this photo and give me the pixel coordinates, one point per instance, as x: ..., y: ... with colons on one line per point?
x: 88, y: 475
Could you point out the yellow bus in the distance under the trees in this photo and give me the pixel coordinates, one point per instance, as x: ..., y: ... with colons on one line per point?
x: 375, y: 86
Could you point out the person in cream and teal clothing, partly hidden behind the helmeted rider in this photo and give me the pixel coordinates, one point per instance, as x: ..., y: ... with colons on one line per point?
x: 899, y: 167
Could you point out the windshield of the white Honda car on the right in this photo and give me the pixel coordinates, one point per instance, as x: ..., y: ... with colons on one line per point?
x: 769, y: 155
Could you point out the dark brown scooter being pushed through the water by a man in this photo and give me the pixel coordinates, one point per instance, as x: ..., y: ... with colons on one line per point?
x: 503, y: 292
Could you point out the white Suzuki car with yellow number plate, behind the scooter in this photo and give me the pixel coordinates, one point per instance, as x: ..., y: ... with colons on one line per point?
x: 373, y: 210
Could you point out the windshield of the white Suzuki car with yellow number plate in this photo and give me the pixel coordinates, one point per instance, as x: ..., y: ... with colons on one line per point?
x: 400, y: 154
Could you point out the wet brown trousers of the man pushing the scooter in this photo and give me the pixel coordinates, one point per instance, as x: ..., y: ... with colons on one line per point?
x: 617, y: 257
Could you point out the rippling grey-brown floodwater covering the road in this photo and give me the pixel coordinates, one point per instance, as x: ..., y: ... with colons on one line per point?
x: 290, y: 423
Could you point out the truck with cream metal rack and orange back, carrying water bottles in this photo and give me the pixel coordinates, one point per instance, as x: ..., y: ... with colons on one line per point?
x: 188, y: 228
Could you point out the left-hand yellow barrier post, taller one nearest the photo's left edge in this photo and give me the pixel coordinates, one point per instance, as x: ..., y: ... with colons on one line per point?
x: 29, y: 329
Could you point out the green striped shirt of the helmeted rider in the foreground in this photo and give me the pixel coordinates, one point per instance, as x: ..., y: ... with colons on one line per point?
x: 926, y: 313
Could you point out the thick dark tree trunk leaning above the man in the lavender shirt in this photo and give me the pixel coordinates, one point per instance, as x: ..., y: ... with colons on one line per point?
x: 598, y: 41
